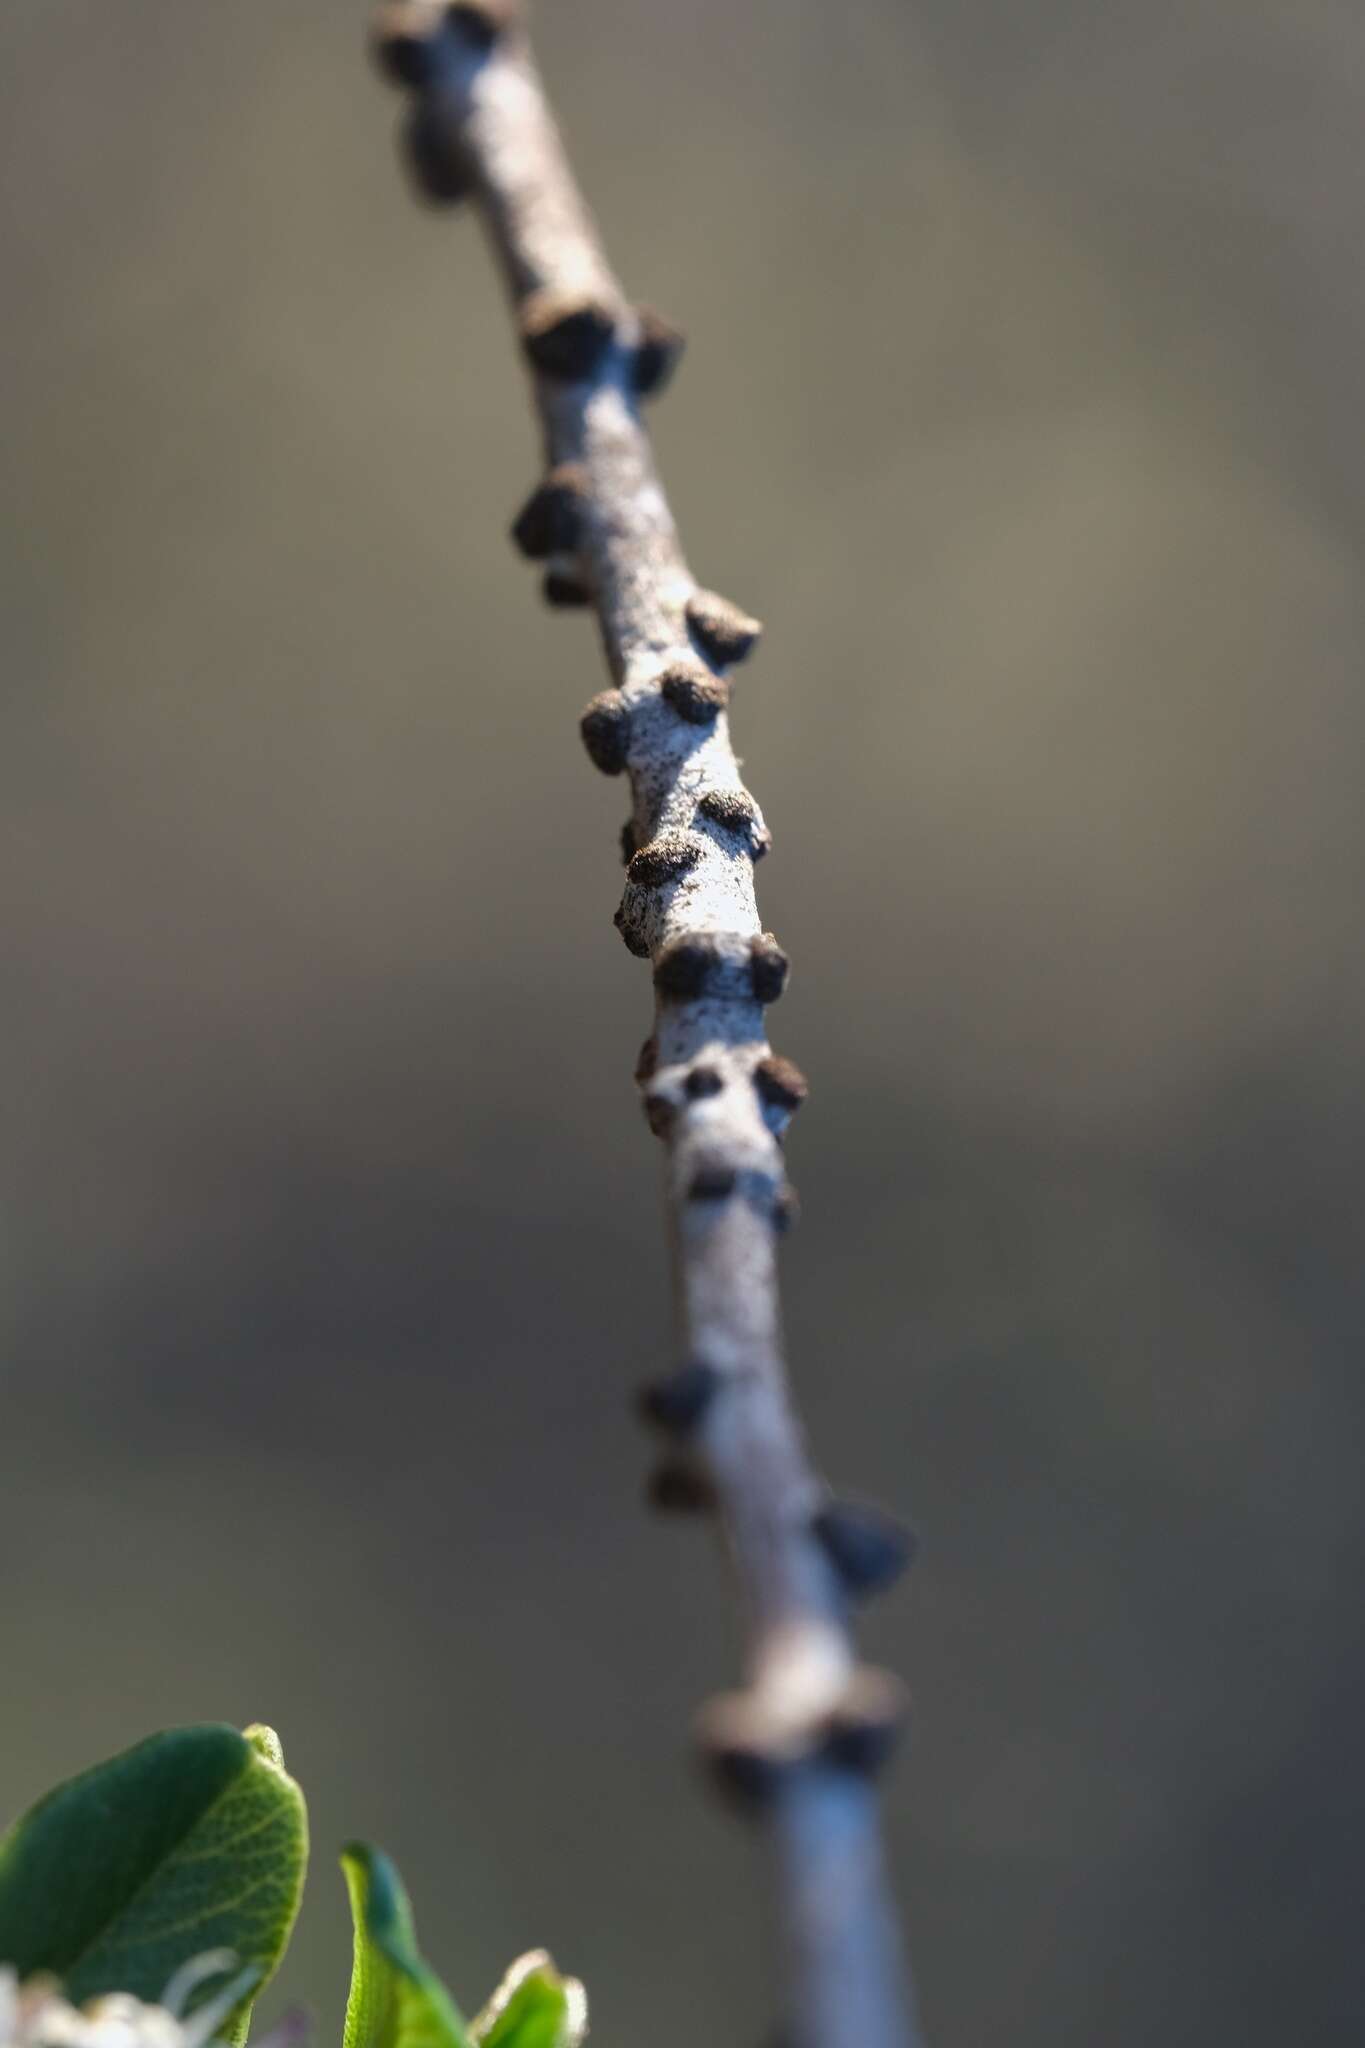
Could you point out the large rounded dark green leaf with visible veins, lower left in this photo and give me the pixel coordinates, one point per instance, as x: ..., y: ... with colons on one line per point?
x: 195, y: 1840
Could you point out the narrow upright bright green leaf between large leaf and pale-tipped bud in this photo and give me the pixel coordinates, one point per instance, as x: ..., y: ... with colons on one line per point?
x: 394, y: 2002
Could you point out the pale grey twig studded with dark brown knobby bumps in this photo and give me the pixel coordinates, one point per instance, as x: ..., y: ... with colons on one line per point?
x: 809, y: 1730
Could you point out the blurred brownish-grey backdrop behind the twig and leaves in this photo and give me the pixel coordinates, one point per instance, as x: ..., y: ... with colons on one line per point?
x: 1024, y: 402
